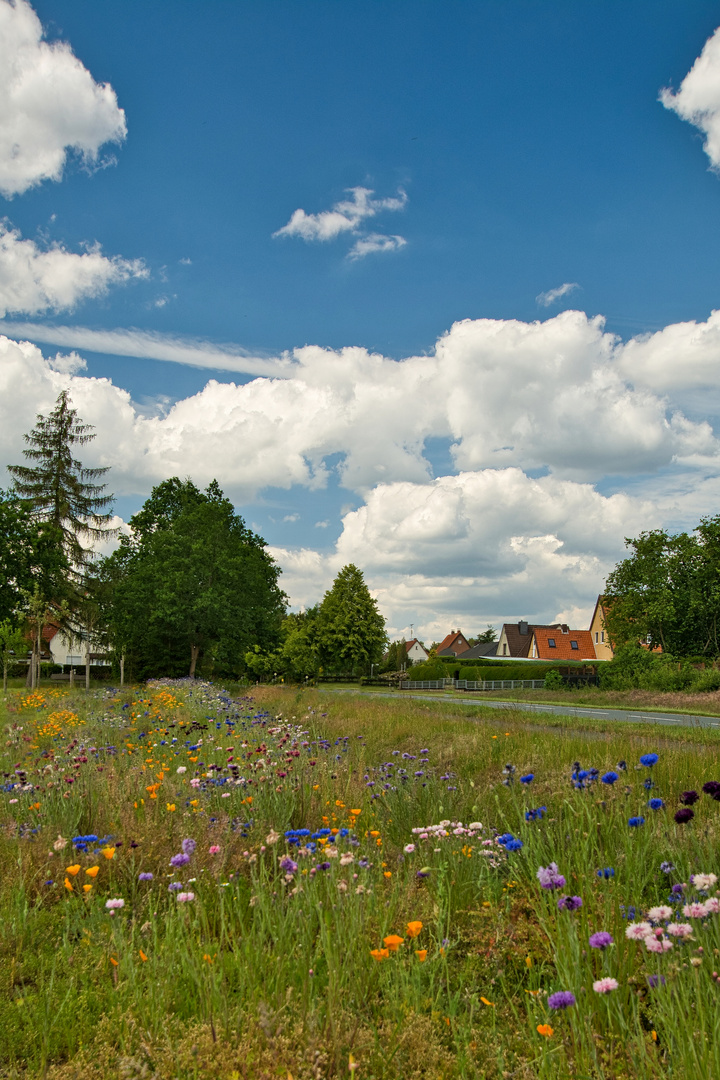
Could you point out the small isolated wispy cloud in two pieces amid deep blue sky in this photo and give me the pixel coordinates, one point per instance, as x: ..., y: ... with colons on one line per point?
x: 348, y: 217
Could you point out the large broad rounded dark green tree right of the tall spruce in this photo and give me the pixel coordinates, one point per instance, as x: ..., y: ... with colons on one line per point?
x: 194, y: 589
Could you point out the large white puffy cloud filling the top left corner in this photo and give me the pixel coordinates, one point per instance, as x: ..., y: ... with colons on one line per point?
x: 50, y: 104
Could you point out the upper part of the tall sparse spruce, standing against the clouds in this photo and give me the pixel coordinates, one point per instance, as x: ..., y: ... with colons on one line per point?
x: 60, y: 490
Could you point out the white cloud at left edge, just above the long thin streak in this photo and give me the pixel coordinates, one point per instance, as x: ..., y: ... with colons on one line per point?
x: 34, y: 279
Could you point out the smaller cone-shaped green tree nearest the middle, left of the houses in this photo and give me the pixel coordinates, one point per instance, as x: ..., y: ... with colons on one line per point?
x: 351, y: 632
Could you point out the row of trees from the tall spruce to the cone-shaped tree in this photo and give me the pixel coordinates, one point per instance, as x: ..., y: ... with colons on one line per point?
x: 189, y: 589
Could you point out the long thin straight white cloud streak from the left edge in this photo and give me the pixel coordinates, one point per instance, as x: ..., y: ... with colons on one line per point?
x: 151, y: 346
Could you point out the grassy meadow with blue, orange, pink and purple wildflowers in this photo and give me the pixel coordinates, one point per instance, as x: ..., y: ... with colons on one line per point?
x: 292, y: 884
